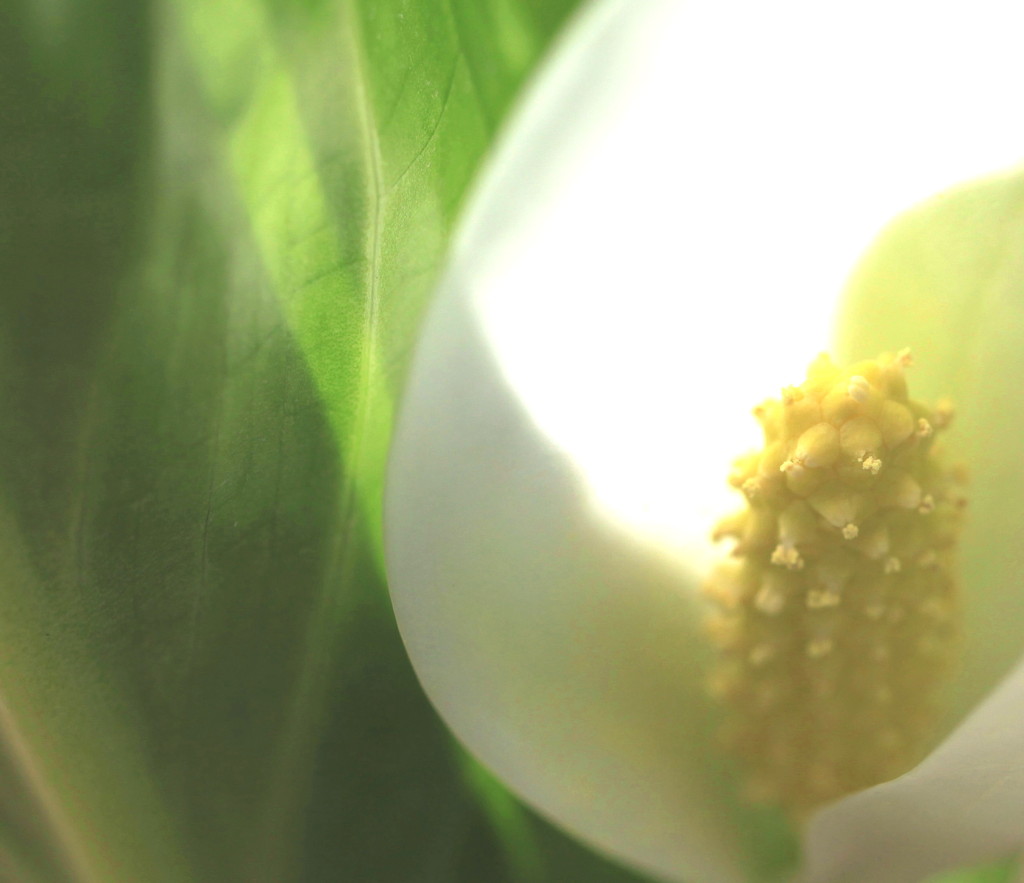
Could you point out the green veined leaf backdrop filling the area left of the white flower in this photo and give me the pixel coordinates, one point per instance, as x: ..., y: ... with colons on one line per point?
x: 220, y: 227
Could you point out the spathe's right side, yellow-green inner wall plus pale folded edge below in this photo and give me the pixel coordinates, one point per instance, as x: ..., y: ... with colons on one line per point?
x: 950, y: 279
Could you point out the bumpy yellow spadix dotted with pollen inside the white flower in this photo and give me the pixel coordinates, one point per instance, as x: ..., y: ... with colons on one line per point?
x: 837, y: 616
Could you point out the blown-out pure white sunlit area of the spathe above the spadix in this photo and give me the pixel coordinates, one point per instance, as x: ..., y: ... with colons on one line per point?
x: 687, y: 261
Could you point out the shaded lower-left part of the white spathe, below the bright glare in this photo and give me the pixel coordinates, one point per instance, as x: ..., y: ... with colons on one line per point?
x: 564, y: 655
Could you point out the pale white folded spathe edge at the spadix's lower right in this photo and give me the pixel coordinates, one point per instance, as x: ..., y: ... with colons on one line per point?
x: 963, y: 807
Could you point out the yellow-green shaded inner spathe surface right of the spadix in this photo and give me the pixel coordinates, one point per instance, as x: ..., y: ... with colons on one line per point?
x: 948, y: 280
